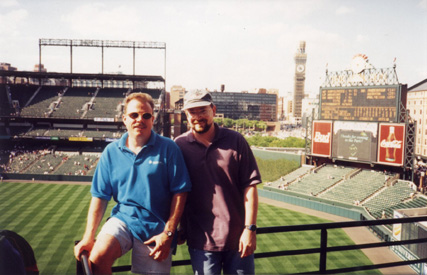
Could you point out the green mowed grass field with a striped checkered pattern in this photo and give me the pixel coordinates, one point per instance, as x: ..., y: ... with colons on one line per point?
x: 52, y: 216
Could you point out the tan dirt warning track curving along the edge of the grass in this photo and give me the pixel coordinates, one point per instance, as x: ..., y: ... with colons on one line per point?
x: 360, y: 235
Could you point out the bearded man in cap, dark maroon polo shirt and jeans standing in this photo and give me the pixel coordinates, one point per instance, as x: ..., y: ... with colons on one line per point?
x: 219, y: 222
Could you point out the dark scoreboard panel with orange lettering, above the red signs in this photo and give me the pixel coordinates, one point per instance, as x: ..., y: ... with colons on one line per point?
x: 379, y: 103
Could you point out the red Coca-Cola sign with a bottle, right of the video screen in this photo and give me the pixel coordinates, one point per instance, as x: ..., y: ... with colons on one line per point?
x: 391, y: 144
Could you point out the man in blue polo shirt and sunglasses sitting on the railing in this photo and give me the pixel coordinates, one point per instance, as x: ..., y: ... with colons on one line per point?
x: 146, y: 175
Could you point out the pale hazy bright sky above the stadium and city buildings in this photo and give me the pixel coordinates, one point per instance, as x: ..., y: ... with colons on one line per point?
x: 244, y: 45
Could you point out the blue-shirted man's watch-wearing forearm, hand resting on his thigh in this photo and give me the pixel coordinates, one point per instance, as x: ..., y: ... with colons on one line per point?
x: 162, y: 241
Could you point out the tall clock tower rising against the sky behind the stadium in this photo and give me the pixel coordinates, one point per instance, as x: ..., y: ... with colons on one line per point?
x: 299, y: 80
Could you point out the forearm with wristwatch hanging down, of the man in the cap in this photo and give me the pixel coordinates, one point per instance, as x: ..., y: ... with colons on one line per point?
x: 247, y: 244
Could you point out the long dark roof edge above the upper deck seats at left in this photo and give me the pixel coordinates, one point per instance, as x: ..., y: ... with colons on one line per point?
x: 30, y: 74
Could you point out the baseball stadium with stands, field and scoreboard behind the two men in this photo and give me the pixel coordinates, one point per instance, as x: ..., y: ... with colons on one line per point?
x: 349, y: 203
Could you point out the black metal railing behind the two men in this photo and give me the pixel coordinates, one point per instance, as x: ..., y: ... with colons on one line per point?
x: 323, y: 250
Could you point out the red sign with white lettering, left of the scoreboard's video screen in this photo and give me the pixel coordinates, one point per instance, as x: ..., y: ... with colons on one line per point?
x: 322, y: 138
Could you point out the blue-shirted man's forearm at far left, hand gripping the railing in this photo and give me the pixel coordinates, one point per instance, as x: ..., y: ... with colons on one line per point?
x: 96, y: 212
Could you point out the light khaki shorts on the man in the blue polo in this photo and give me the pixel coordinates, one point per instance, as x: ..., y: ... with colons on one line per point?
x: 142, y: 263
